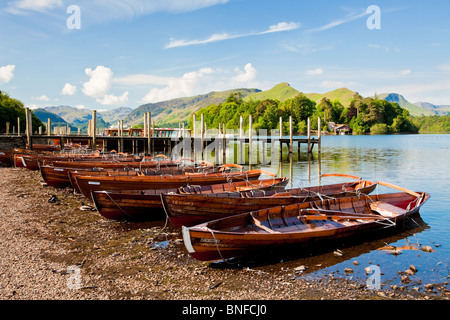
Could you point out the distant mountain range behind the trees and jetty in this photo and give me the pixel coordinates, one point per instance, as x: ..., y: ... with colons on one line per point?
x: 171, y: 112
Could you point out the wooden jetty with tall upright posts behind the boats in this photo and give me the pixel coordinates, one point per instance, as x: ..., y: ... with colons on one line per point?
x: 151, y: 140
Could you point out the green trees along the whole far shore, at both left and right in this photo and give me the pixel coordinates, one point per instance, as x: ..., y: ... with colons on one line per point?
x: 362, y: 116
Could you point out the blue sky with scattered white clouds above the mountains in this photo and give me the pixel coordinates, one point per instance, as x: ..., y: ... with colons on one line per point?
x: 103, y: 54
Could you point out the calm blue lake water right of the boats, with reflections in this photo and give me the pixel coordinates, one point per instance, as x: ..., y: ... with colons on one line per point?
x: 416, y: 162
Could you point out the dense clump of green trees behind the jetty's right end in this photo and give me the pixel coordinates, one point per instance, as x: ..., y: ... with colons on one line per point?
x: 363, y: 115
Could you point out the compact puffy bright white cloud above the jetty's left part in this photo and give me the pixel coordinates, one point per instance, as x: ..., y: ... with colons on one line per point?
x: 99, y: 82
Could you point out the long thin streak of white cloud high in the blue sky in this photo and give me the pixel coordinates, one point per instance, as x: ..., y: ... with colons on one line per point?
x: 280, y: 27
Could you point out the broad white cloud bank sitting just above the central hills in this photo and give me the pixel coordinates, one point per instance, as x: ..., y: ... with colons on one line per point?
x: 203, y: 81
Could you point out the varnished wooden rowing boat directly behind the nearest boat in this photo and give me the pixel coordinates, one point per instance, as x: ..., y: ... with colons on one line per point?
x: 191, y: 209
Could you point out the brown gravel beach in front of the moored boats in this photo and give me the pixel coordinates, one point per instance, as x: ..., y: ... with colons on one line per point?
x: 54, y: 250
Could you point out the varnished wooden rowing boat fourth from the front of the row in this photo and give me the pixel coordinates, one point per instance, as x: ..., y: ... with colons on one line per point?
x: 87, y: 184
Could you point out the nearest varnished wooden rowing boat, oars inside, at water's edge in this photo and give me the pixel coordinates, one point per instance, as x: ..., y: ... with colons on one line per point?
x: 301, y: 224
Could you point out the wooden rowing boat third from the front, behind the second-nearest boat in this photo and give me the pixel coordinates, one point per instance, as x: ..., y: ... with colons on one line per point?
x: 146, y: 204
